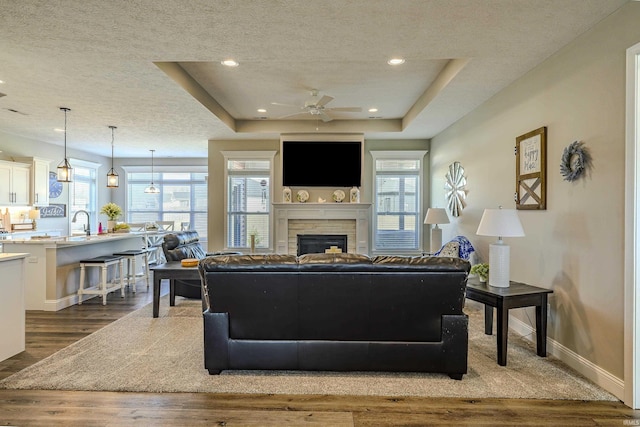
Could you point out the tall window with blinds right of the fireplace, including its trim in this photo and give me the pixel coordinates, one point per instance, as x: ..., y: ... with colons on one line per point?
x: 397, y: 201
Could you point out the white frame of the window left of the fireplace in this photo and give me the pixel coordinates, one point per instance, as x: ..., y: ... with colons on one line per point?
x: 263, y: 155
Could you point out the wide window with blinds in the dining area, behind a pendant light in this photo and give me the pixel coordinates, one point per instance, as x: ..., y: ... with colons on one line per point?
x: 182, y: 198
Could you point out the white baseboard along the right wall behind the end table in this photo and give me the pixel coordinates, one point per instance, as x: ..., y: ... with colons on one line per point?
x: 593, y: 372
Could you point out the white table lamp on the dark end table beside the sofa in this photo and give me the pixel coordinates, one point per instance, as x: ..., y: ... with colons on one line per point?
x: 500, y: 223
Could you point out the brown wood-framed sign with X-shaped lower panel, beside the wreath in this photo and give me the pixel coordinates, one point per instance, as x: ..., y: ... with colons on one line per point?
x: 531, y: 170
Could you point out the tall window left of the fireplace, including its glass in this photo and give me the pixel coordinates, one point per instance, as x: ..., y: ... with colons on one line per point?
x: 248, y: 175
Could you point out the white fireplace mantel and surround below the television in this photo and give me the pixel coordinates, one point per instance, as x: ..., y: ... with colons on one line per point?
x: 360, y: 212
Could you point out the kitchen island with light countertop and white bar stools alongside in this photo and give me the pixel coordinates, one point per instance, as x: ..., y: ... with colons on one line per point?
x: 52, y: 273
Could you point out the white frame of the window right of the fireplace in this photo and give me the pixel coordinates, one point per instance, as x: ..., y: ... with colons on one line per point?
x: 414, y: 155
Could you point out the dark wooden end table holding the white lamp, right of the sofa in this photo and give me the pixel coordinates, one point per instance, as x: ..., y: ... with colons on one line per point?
x: 515, y: 296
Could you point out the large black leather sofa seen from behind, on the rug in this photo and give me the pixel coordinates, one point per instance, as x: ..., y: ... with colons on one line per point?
x: 335, y: 312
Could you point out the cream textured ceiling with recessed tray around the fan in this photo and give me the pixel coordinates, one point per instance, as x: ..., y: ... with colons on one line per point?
x: 152, y: 67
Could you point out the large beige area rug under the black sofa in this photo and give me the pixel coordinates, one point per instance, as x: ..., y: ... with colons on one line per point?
x: 141, y: 354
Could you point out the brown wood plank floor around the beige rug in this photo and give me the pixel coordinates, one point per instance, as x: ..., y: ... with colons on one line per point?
x: 48, y: 332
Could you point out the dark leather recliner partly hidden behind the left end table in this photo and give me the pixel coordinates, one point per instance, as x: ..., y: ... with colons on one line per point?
x: 181, y: 245
